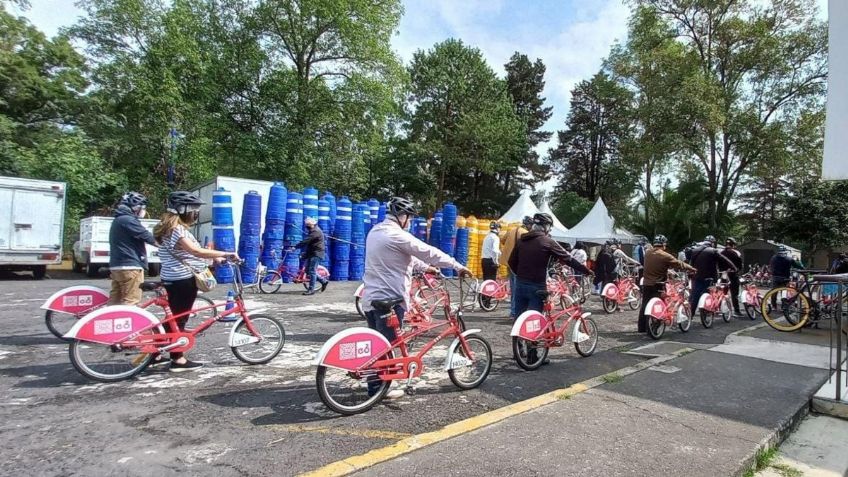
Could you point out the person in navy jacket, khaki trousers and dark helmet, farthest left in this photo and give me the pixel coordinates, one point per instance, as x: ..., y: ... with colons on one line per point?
x: 127, y: 250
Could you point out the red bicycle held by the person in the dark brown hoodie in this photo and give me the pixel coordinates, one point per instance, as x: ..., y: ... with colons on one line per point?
x: 540, y: 332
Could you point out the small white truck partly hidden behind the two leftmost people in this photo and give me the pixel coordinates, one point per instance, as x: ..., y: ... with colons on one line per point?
x: 91, y: 251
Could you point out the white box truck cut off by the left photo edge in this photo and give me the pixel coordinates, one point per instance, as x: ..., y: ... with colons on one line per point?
x: 32, y: 216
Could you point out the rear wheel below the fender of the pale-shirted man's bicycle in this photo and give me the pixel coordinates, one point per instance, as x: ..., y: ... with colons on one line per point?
x: 346, y: 393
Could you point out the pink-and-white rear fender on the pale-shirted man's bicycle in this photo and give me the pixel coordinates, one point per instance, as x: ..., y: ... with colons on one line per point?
x: 351, y: 348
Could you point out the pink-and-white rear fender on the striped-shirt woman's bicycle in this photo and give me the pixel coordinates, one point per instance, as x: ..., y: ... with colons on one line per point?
x: 112, y: 324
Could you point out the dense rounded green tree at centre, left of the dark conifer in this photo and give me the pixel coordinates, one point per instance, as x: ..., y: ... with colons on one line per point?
x: 462, y: 126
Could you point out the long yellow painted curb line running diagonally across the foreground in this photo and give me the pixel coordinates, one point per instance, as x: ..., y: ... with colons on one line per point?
x: 418, y: 441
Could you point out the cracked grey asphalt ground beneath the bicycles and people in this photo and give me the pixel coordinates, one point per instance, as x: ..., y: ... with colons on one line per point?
x: 232, y: 419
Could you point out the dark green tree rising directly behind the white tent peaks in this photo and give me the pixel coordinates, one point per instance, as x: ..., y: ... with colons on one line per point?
x: 588, y: 157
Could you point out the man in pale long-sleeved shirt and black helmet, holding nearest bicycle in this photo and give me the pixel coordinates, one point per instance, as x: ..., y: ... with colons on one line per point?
x: 389, y: 259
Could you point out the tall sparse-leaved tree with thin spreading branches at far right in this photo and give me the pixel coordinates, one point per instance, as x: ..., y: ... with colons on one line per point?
x: 758, y: 64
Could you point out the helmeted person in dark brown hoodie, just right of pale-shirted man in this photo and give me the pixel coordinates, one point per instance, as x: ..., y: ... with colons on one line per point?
x: 530, y: 259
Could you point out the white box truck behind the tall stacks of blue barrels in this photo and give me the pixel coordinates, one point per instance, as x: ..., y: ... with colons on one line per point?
x: 237, y: 187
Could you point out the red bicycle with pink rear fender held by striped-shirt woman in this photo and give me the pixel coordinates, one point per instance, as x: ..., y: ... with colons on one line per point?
x: 118, y: 342
